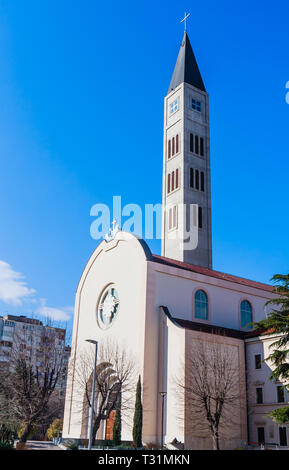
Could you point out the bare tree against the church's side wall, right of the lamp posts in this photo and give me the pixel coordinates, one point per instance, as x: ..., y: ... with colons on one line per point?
x: 211, y: 389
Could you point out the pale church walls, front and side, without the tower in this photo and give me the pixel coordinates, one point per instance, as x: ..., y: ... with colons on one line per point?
x: 156, y: 341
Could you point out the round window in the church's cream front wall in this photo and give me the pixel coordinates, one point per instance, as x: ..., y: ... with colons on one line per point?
x: 107, y: 307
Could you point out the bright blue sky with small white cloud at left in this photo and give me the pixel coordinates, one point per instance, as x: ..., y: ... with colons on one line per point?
x: 81, y: 119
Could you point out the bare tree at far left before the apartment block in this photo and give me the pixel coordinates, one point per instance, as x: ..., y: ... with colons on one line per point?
x: 31, y: 377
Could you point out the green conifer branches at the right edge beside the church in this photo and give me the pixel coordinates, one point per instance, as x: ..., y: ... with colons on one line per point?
x: 277, y: 322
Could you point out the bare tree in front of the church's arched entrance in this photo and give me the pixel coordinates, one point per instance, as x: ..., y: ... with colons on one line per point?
x: 115, y: 380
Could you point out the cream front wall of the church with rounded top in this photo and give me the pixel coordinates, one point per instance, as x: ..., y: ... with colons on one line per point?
x: 122, y: 262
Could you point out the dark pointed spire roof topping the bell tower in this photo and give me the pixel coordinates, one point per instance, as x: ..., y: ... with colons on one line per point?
x: 186, y: 68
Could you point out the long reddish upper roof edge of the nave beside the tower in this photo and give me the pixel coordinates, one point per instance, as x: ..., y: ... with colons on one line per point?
x: 212, y: 273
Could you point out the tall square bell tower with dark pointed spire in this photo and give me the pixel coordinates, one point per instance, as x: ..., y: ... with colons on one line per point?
x: 186, y: 164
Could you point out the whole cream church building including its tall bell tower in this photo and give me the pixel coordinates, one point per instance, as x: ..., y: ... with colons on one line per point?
x: 165, y: 308
